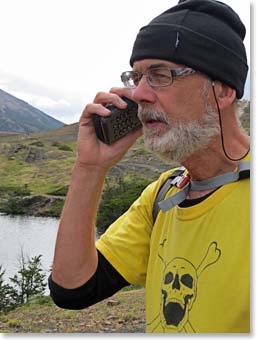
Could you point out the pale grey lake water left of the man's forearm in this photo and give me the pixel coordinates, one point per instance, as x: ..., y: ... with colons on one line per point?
x: 30, y: 235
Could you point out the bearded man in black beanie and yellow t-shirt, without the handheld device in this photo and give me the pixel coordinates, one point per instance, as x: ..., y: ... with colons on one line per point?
x: 189, y: 66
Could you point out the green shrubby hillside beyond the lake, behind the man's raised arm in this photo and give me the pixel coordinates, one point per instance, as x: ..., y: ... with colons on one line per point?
x: 35, y: 168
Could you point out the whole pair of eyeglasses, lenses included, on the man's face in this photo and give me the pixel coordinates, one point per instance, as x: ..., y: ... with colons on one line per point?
x: 156, y: 77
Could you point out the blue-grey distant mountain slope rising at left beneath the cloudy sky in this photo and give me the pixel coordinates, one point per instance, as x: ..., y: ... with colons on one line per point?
x: 18, y: 116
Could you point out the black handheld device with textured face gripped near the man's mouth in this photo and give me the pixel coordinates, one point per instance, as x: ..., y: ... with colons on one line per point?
x: 122, y: 121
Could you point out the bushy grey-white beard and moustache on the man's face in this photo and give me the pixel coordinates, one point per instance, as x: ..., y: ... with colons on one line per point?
x: 181, y: 140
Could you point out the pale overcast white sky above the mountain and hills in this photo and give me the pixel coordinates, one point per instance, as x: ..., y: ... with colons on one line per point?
x: 56, y: 54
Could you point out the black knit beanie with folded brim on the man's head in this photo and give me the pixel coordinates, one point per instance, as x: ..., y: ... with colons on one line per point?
x: 206, y: 35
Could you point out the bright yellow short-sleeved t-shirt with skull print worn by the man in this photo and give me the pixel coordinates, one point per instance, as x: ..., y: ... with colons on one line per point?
x: 194, y: 262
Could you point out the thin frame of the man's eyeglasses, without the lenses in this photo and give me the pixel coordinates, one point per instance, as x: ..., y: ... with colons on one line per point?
x: 178, y: 72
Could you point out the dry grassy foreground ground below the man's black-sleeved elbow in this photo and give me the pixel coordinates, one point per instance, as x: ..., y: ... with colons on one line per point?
x: 124, y: 312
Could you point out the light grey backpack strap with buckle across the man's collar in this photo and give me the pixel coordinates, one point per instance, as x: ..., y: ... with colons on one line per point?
x: 210, y: 183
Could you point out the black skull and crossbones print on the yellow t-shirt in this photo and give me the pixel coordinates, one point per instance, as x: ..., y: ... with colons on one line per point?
x: 179, y: 290
